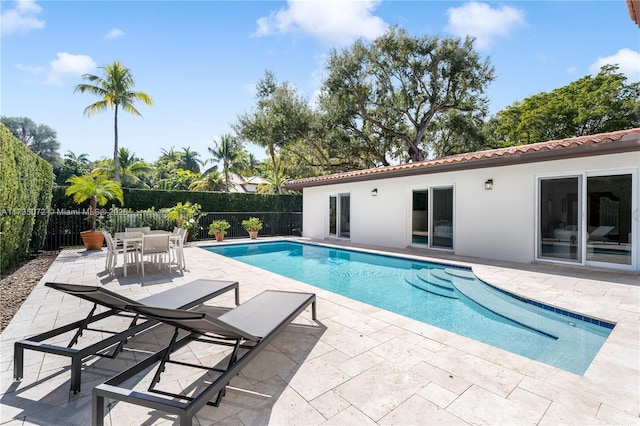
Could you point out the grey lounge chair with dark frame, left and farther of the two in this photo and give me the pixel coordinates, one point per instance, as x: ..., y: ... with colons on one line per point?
x: 185, y: 297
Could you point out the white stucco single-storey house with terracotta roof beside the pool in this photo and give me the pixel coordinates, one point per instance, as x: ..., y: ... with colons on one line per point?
x: 570, y: 201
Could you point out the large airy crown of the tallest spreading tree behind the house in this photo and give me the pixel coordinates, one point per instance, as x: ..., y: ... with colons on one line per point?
x: 383, y: 96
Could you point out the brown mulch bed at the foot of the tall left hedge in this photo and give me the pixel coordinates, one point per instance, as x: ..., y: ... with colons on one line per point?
x: 18, y: 282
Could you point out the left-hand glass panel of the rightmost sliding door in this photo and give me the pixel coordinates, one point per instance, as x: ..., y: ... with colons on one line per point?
x: 559, y: 212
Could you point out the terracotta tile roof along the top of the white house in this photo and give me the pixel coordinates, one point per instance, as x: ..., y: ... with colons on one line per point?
x: 557, y: 149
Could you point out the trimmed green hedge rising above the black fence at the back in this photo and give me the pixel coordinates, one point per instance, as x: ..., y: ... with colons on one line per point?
x: 143, y: 199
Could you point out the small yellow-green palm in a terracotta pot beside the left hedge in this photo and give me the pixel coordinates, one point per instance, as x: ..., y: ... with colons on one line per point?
x: 98, y: 190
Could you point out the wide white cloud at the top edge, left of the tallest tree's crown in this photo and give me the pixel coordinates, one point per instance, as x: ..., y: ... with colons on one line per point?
x: 331, y: 21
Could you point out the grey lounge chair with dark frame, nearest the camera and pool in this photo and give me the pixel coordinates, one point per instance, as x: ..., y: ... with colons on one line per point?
x: 247, y: 329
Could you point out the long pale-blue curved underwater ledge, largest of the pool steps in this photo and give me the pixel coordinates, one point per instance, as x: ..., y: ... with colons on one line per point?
x: 496, y: 303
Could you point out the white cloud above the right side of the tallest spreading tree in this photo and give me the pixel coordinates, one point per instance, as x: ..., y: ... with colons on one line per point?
x: 484, y: 23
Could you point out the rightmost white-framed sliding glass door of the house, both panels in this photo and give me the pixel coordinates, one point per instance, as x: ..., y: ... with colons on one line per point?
x: 587, y: 219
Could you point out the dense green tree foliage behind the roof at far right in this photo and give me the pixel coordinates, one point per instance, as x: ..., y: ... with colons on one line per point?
x: 586, y: 106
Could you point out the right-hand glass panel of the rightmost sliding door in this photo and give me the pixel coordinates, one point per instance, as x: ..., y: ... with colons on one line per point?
x: 609, y: 211
